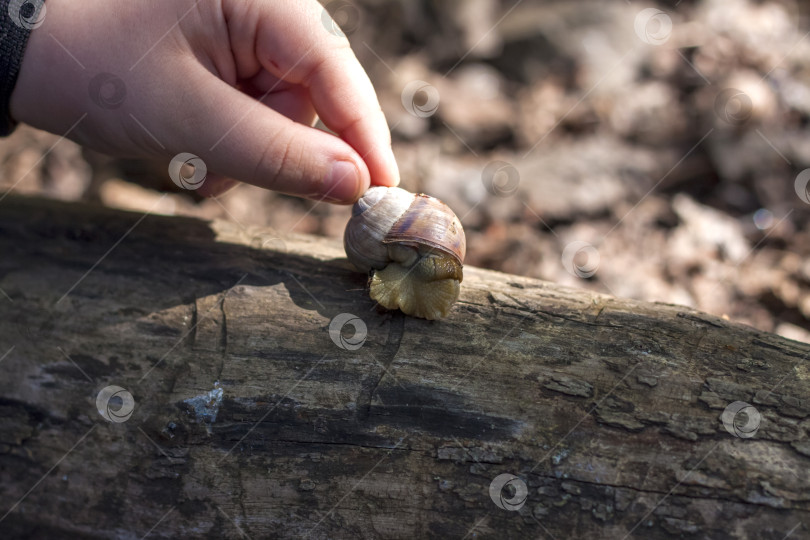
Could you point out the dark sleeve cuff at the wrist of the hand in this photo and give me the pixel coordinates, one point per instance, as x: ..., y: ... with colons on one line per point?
x: 17, y: 19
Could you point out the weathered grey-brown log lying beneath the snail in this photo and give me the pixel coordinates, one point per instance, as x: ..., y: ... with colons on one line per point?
x: 608, y: 409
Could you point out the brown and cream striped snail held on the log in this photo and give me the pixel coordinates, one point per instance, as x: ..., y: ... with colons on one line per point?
x: 414, y: 246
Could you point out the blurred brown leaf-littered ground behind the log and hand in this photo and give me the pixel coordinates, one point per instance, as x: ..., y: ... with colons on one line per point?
x: 651, y: 151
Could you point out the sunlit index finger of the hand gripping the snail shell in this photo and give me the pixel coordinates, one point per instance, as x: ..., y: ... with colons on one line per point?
x: 293, y: 43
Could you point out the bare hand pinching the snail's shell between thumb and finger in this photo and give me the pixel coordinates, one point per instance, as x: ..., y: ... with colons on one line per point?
x: 191, y: 72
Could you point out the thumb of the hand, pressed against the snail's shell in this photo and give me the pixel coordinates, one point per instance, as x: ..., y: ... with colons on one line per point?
x: 244, y: 139
